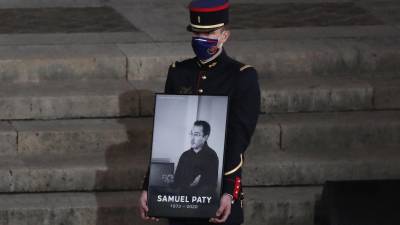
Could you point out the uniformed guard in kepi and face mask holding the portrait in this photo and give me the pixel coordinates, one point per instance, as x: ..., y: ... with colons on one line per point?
x: 213, y: 72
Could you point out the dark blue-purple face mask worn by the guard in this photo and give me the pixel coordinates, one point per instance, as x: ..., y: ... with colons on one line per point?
x: 204, y: 48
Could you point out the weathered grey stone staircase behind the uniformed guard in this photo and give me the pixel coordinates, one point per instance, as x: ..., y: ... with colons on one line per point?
x: 76, y: 123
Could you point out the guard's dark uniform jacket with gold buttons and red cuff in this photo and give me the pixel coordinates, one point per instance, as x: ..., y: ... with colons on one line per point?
x: 224, y: 76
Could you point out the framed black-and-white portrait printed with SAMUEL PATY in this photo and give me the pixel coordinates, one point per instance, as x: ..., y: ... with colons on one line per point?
x: 187, y: 156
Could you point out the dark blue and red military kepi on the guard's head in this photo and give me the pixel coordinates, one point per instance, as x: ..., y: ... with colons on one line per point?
x: 208, y: 15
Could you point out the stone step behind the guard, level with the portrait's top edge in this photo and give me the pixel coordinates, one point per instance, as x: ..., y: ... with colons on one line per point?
x: 116, y: 98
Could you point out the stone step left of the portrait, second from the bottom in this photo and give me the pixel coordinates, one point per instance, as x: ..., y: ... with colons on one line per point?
x: 113, y: 170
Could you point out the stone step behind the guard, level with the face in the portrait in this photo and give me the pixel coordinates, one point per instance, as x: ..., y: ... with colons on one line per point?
x: 292, y: 132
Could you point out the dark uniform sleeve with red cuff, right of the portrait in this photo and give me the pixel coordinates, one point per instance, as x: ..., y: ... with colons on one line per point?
x: 243, y: 116
